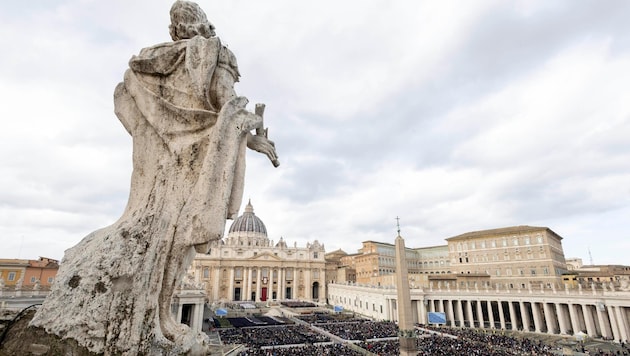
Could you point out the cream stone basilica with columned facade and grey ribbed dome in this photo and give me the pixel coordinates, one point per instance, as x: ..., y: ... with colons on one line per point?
x: 247, y: 266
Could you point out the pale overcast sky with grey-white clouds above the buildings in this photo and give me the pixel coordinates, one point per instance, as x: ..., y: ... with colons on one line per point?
x: 455, y: 116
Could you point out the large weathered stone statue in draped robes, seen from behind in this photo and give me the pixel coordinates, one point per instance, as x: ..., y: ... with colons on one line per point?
x: 190, y: 130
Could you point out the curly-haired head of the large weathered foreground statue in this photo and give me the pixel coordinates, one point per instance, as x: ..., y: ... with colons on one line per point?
x: 188, y: 20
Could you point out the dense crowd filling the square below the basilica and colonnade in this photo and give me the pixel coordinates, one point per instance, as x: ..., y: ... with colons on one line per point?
x: 381, y: 338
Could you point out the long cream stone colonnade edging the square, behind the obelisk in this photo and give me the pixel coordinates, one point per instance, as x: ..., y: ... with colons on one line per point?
x: 597, y: 313
